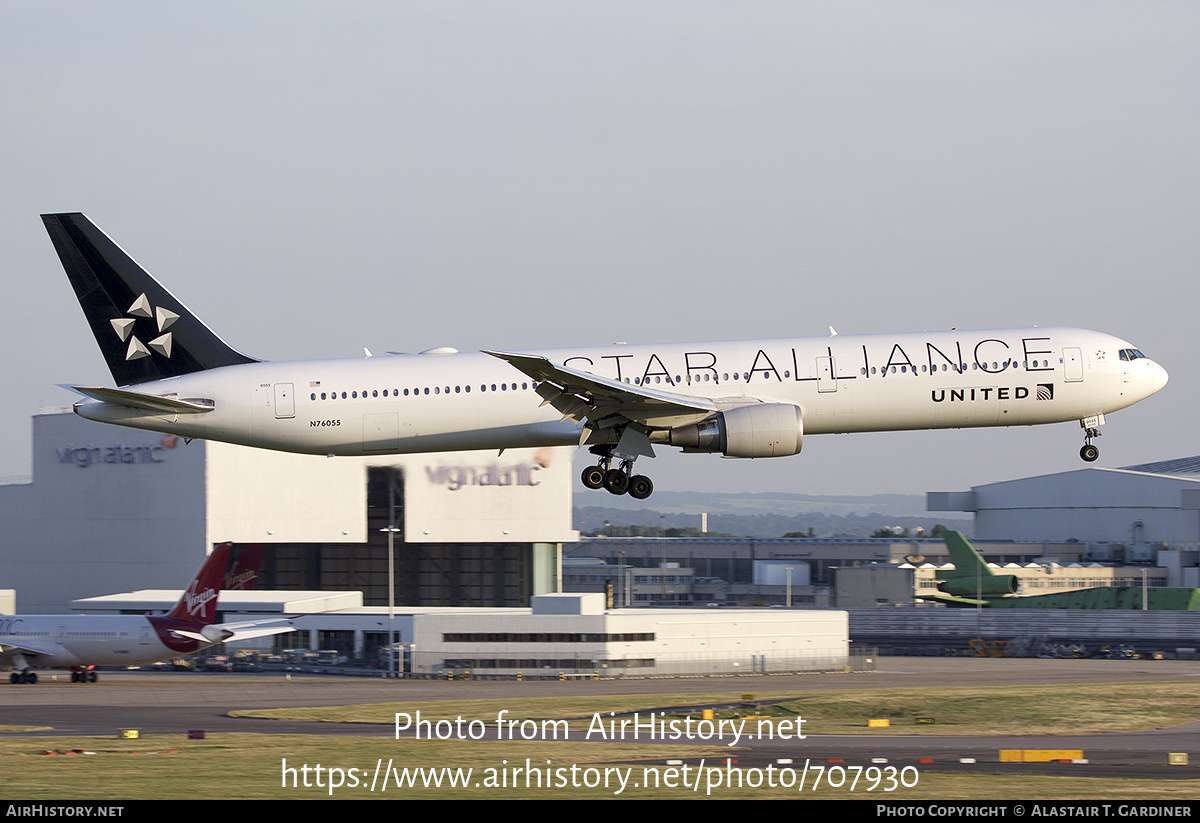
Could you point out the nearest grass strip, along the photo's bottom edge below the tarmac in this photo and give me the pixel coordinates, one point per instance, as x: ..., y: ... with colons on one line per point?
x: 233, y: 767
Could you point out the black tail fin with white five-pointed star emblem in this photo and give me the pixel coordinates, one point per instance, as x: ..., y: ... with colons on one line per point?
x: 143, y: 332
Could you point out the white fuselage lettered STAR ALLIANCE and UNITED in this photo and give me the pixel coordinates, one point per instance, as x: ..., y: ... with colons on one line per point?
x: 844, y: 383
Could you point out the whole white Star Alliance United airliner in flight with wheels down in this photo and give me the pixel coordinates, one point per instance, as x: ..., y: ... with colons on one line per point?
x: 740, y: 399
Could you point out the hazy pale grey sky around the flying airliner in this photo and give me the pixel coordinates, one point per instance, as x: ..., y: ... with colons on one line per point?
x: 315, y: 178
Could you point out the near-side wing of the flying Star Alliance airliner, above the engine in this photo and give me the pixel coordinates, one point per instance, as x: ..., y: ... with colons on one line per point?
x: 579, y: 395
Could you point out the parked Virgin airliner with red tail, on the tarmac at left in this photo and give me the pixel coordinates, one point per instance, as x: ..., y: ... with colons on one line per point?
x: 81, y: 642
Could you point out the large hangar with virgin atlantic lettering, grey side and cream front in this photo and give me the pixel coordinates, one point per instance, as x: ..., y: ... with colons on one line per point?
x: 112, y: 509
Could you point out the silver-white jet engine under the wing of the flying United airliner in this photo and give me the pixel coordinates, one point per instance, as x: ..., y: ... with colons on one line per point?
x: 761, y: 430
